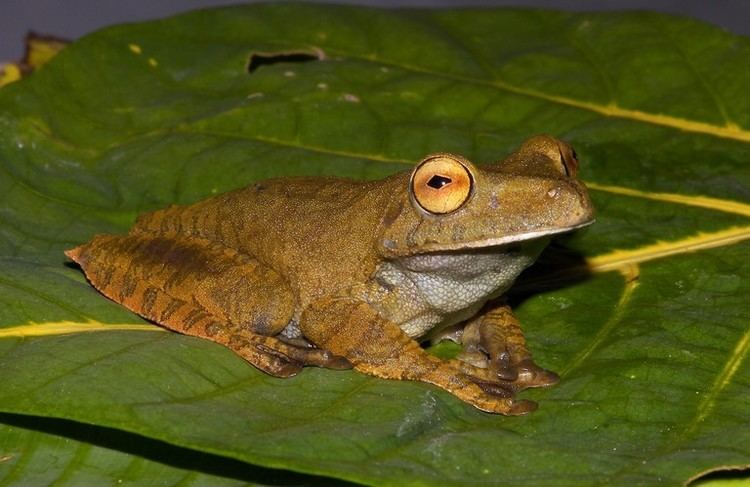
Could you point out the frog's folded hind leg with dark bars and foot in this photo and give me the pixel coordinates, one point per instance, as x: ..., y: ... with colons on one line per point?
x: 202, y: 289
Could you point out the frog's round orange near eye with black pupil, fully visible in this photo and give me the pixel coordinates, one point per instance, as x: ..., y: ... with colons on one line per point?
x: 441, y: 184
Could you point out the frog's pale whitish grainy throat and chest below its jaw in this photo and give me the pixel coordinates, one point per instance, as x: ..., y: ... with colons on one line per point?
x: 433, y: 291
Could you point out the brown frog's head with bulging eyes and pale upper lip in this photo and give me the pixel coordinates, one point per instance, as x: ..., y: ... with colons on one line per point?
x: 453, y: 205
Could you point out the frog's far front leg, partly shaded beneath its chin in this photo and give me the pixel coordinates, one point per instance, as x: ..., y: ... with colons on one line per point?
x: 497, y: 334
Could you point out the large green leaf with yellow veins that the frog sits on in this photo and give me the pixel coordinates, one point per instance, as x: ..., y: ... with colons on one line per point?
x: 650, y: 331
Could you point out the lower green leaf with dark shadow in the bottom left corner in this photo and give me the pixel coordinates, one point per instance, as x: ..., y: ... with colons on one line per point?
x: 42, y: 451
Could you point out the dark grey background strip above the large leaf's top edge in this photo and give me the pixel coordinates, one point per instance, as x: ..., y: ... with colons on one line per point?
x: 74, y: 18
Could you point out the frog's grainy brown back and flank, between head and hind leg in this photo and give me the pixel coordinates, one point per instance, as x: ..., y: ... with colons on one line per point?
x: 314, y: 232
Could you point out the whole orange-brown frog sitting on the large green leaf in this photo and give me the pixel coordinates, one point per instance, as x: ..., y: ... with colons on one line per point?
x: 341, y: 273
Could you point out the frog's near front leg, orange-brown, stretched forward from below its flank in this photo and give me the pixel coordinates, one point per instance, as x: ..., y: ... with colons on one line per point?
x: 375, y: 346
